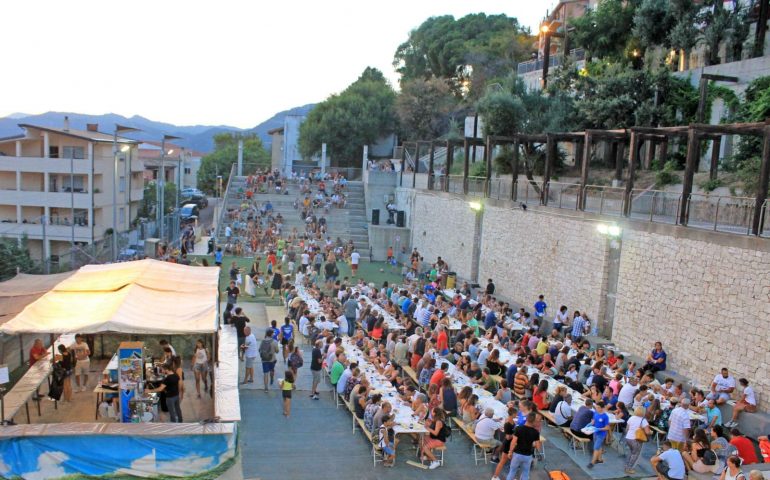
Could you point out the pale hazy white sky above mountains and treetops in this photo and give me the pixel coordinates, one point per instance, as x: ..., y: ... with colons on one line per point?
x: 206, y: 62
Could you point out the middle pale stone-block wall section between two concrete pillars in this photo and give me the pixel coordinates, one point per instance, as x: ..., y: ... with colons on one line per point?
x: 528, y: 253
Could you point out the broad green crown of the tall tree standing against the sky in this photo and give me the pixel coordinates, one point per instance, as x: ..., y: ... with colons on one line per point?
x: 467, y: 52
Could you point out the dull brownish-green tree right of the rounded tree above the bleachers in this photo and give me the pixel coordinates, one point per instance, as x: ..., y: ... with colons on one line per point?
x: 424, y: 108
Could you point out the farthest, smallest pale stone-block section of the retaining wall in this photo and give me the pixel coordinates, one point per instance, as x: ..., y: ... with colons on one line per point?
x: 442, y: 225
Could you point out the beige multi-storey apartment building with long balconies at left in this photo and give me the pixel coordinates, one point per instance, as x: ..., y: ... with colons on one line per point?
x: 56, y: 187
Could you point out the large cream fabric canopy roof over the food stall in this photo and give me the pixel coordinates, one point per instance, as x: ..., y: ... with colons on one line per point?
x: 140, y: 297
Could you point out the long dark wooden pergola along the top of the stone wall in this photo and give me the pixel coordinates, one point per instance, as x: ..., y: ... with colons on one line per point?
x: 636, y: 137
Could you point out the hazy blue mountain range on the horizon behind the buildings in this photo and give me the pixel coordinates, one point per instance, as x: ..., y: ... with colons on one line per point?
x: 195, y: 137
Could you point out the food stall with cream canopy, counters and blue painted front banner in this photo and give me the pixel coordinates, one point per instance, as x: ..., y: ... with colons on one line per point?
x: 141, y: 298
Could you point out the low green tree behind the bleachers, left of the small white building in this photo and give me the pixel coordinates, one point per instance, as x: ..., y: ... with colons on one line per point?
x: 225, y: 154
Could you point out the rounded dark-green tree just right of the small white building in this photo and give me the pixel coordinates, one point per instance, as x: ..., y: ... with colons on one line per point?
x: 362, y: 113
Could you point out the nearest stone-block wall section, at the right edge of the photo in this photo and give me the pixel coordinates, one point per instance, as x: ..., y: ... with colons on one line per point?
x: 708, y: 303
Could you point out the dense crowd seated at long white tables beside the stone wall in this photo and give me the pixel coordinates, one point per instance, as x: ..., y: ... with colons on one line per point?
x: 422, y: 326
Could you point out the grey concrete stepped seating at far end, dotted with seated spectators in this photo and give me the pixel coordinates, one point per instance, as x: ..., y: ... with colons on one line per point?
x: 348, y: 223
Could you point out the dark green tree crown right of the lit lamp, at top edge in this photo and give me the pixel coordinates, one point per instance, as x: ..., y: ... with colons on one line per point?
x: 605, y: 31
